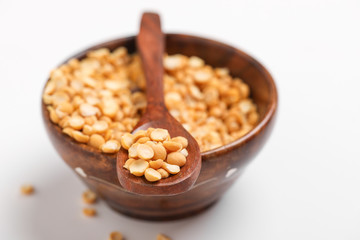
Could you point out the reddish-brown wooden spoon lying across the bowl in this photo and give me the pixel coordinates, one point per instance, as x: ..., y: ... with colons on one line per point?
x: 150, y: 45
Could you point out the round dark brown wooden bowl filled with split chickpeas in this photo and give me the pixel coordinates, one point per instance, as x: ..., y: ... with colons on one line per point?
x: 220, y: 166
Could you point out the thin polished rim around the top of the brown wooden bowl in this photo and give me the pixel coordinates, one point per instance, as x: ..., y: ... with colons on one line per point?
x: 260, y: 126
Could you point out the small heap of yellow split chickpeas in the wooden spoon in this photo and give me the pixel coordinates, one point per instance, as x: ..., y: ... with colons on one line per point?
x: 156, y: 158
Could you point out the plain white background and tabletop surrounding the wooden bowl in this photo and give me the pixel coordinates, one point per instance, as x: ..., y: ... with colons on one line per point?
x: 305, y: 184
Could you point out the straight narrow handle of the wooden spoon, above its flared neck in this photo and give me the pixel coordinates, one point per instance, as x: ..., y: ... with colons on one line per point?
x: 150, y: 44
